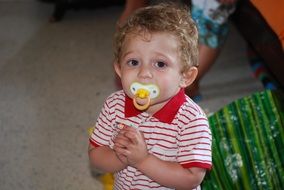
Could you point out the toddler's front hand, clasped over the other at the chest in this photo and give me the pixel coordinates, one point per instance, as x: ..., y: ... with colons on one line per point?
x: 136, y: 149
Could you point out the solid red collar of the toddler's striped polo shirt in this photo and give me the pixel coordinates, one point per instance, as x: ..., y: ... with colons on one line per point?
x: 166, y: 114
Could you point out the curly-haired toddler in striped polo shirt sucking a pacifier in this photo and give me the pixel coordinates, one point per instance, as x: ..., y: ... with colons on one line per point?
x: 150, y: 134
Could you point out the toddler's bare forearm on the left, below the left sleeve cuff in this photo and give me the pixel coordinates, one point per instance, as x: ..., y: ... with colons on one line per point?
x: 104, y: 158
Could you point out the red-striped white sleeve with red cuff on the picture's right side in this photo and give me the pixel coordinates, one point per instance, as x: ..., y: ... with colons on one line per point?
x: 195, y: 144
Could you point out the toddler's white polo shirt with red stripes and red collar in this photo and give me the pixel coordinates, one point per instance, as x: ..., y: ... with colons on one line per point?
x: 179, y: 132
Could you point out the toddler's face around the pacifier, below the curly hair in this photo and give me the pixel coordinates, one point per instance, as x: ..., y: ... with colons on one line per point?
x: 151, y: 59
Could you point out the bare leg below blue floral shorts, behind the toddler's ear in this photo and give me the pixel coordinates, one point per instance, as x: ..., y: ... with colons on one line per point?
x: 207, y: 57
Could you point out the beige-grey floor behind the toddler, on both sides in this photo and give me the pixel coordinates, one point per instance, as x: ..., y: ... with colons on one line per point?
x: 53, y: 80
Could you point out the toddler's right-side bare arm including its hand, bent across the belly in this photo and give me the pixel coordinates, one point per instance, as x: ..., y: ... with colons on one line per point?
x: 170, y: 174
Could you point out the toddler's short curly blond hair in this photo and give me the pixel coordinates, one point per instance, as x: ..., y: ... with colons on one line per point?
x: 170, y: 18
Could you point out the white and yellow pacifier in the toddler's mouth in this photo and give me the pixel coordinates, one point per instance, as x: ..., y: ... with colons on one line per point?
x: 143, y: 93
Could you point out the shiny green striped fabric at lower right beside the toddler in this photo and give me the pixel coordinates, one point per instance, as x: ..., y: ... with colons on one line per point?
x: 248, y: 144
